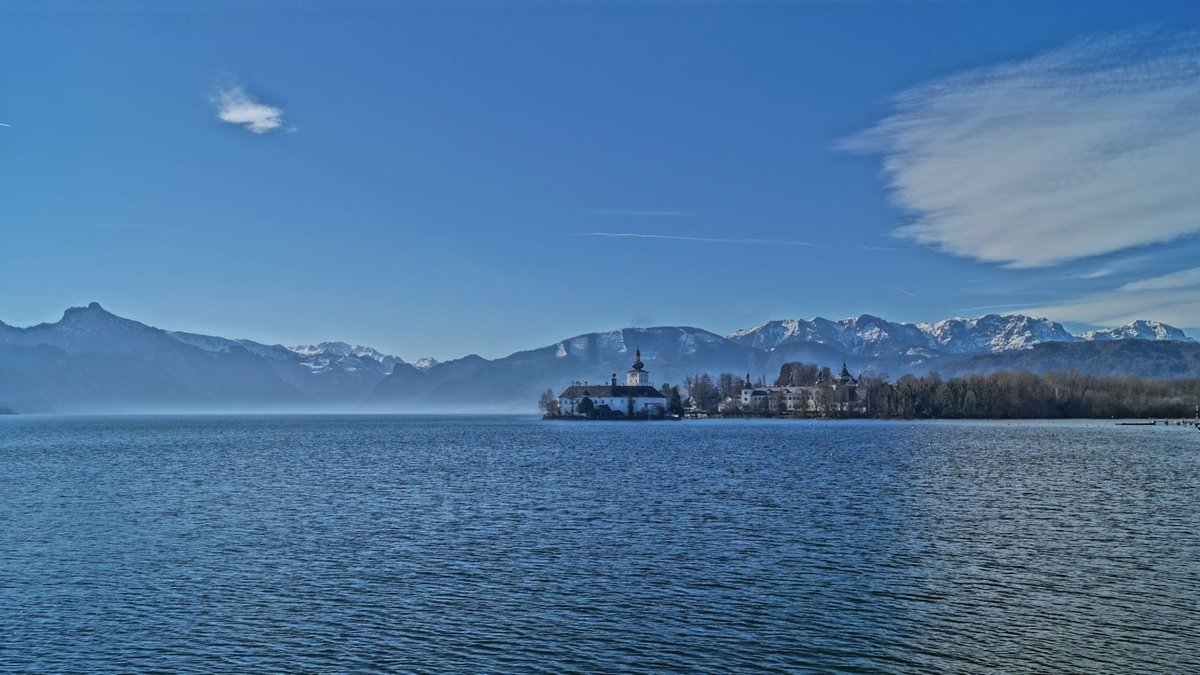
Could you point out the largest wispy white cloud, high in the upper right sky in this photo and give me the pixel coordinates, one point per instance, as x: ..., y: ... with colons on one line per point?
x: 1084, y: 151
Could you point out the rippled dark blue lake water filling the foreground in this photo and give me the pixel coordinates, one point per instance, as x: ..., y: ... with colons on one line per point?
x: 507, y: 543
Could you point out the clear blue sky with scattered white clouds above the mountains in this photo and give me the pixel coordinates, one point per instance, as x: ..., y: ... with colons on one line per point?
x: 469, y: 177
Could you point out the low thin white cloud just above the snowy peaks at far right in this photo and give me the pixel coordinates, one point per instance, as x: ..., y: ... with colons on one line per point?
x: 1173, y: 298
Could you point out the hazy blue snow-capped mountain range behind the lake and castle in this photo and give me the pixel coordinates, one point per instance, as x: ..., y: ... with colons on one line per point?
x: 93, y: 361
